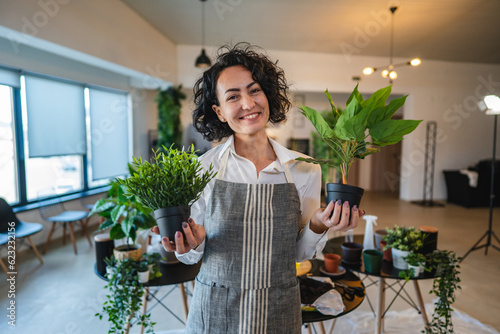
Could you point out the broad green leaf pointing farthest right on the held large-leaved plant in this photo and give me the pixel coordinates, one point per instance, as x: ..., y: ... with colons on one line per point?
x: 391, y: 131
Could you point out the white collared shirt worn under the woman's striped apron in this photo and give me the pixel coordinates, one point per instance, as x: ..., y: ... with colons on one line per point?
x: 306, y: 176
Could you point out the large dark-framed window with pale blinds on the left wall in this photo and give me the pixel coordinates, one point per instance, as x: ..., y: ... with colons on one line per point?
x: 59, y: 137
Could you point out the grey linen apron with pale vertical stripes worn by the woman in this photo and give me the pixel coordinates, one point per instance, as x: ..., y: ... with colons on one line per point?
x: 247, y: 281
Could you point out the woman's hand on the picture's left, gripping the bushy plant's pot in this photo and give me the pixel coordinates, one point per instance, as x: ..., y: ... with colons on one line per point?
x: 195, y: 234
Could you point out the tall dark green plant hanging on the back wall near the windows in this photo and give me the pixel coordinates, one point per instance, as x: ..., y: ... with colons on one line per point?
x: 169, y: 111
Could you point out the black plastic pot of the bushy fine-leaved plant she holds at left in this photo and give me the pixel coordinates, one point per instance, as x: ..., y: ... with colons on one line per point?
x: 170, y: 220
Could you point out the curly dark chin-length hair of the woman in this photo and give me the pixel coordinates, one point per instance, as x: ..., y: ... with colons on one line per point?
x: 267, y: 74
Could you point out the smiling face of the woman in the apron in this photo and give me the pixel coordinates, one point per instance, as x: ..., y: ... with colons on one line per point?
x: 242, y: 102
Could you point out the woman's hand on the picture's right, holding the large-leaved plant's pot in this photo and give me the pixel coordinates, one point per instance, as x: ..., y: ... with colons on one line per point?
x: 336, y: 216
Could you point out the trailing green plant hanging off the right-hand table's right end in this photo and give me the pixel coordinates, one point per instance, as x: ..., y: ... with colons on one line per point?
x: 444, y: 288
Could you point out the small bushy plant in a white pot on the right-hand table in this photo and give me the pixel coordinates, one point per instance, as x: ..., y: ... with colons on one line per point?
x: 403, y: 240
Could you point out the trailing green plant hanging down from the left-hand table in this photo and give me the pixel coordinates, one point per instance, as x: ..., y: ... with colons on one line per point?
x: 125, y: 298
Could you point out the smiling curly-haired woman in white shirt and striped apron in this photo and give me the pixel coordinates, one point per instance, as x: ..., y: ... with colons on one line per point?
x: 259, y: 215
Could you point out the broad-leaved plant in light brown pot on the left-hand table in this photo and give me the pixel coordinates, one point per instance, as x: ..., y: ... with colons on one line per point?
x: 124, y: 216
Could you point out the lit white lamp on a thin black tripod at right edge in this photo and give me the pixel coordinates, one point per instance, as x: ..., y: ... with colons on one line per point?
x: 491, y: 105
